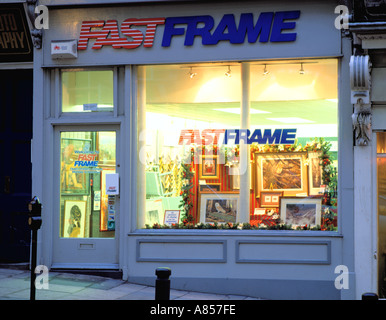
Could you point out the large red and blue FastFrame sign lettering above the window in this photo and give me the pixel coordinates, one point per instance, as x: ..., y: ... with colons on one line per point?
x: 269, y: 27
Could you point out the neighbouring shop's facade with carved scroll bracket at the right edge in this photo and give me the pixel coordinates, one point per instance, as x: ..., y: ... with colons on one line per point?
x: 368, y: 30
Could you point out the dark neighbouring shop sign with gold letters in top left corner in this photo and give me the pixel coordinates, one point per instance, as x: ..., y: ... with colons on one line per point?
x: 15, y: 41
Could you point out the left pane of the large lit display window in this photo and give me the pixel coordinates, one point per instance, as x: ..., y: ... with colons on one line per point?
x: 183, y: 110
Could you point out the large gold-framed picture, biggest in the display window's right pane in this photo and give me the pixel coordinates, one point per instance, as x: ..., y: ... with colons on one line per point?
x: 284, y: 172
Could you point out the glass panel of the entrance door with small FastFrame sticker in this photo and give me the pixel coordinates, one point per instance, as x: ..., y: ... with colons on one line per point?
x: 86, y: 159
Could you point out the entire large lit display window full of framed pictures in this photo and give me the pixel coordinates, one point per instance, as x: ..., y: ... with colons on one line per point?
x: 209, y: 160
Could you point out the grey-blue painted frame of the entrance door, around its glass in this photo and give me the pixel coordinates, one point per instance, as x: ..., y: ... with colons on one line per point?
x: 87, y: 247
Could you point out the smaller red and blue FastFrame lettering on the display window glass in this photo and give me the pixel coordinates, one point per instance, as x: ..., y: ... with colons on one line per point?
x: 229, y: 136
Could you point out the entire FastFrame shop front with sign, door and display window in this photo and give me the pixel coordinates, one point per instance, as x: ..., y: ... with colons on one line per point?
x: 208, y: 138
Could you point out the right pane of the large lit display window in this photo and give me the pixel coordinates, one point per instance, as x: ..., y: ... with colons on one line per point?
x: 294, y: 110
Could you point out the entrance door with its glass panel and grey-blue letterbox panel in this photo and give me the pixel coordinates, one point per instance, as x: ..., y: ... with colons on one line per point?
x: 86, y: 217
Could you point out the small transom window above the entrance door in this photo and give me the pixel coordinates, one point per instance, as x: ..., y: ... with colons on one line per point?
x: 87, y: 91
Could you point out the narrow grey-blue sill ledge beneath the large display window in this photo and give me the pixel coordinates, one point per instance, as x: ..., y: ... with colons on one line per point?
x: 235, y: 233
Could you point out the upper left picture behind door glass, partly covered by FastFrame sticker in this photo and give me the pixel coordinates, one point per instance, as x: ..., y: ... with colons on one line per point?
x: 73, y: 182
